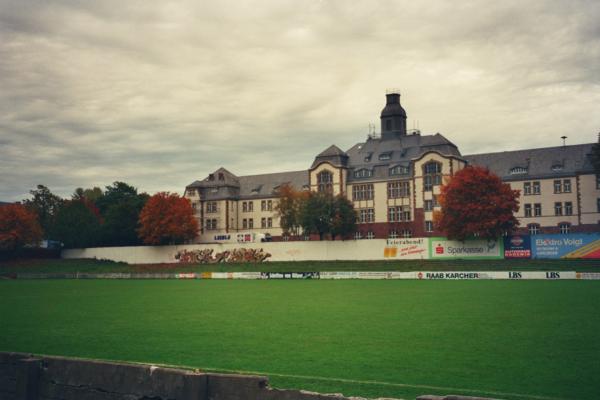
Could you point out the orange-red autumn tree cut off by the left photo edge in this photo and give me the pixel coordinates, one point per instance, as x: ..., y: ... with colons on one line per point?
x: 18, y: 226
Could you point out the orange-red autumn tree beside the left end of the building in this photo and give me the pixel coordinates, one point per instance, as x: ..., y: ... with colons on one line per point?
x: 167, y: 219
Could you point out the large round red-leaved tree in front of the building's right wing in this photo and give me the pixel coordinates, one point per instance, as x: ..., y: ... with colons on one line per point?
x: 475, y: 202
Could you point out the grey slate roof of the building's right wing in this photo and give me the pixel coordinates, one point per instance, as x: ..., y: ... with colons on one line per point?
x: 538, y: 163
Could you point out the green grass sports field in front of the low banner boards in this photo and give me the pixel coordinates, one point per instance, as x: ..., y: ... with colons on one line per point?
x: 503, y: 339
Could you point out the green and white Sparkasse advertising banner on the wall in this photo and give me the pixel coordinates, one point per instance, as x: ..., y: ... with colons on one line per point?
x: 442, y: 248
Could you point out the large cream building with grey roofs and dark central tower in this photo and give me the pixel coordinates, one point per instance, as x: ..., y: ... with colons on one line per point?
x: 394, y: 179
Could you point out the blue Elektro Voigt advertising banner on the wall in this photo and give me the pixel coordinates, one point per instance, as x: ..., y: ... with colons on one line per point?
x: 574, y: 245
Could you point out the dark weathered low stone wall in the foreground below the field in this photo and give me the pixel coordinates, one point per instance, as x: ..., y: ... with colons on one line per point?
x: 27, y: 377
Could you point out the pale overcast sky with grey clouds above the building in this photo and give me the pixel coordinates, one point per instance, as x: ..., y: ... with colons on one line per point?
x: 160, y: 93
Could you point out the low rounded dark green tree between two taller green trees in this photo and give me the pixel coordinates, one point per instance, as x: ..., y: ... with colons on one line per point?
x: 77, y: 224
